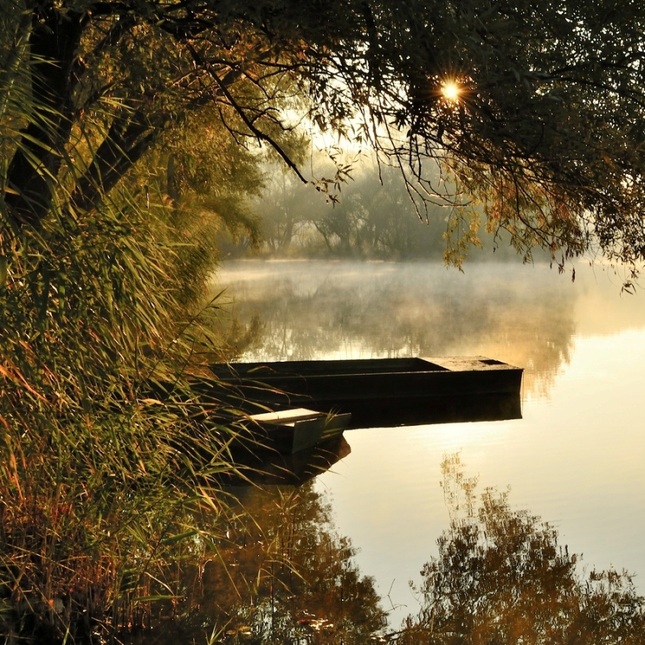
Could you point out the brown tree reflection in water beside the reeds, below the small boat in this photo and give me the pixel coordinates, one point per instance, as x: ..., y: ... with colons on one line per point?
x: 283, y: 576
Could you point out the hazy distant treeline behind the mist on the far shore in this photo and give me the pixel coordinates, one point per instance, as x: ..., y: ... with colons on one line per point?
x: 369, y: 215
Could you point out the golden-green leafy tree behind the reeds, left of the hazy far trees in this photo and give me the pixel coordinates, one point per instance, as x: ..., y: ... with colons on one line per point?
x: 203, y: 184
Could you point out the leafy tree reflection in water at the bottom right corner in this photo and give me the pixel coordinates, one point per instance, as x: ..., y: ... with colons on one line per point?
x: 501, y: 577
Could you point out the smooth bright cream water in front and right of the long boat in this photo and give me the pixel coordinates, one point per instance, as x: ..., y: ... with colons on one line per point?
x: 576, y: 459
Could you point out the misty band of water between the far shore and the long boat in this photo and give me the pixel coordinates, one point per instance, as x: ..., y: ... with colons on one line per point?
x: 522, y: 314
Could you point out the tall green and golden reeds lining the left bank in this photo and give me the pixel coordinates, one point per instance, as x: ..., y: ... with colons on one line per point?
x: 100, y: 482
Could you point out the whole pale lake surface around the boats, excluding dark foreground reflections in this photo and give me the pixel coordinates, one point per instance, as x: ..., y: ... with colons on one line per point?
x: 575, y: 458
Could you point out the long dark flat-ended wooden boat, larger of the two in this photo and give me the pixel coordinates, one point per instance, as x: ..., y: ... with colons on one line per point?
x: 378, y: 392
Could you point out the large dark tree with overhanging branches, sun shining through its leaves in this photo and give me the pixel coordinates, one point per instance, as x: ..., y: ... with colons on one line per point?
x: 546, y: 125
